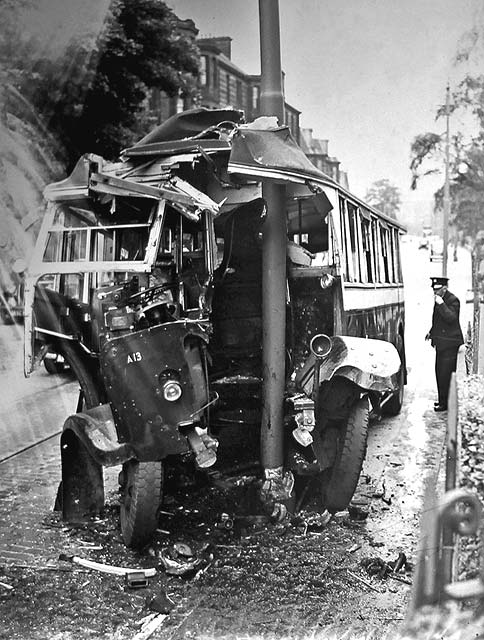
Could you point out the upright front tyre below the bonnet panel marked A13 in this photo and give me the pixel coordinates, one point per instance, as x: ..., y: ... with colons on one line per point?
x: 141, y: 494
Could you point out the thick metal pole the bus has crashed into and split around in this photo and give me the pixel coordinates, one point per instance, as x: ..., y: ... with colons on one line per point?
x: 274, y: 253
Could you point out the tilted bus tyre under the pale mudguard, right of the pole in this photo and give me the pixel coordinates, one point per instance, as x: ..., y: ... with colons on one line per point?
x: 339, y: 487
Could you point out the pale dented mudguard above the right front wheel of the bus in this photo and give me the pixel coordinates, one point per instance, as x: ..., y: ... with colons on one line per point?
x: 372, y: 365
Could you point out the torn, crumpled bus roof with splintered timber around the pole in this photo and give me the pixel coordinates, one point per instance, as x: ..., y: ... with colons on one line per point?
x: 259, y: 150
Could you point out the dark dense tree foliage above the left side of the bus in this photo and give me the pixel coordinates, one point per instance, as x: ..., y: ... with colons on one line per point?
x: 94, y: 97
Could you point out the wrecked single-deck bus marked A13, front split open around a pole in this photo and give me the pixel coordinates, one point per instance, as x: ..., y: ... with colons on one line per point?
x: 146, y: 280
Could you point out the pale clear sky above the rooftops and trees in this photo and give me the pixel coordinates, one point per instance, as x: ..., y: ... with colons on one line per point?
x: 368, y: 75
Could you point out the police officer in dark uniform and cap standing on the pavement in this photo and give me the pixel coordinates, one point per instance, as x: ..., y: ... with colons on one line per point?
x: 446, y: 337
